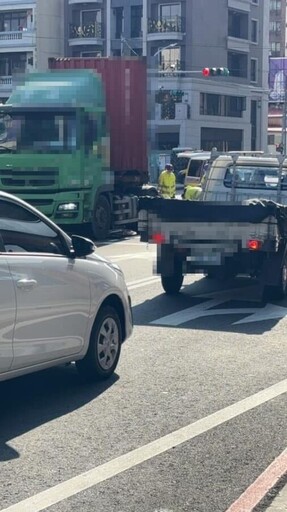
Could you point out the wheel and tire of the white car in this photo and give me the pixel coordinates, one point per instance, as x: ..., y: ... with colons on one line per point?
x: 104, y: 349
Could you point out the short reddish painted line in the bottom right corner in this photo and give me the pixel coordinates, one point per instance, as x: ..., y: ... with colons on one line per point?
x: 266, y: 481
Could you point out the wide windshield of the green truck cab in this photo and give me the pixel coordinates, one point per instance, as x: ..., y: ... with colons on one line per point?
x: 45, y: 132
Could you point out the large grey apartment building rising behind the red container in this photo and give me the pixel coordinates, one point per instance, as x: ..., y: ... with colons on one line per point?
x: 178, y: 39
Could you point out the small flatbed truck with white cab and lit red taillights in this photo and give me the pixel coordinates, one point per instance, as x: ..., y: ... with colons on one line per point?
x: 239, y: 226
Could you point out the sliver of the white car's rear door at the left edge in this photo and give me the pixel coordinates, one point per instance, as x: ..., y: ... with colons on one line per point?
x: 7, y: 314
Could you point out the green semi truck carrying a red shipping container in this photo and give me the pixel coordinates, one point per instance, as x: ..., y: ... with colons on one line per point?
x: 73, y: 142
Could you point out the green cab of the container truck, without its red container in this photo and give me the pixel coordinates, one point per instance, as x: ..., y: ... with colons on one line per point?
x: 55, y: 151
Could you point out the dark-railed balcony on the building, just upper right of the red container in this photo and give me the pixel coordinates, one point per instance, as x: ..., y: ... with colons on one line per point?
x: 166, y: 28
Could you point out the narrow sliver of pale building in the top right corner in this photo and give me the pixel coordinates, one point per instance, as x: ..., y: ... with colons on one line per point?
x: 277, y: 28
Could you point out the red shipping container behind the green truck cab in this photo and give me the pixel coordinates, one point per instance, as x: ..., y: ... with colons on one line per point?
x: 125, y: 83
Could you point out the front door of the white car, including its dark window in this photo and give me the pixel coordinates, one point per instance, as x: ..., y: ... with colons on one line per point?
x: 52, y: 289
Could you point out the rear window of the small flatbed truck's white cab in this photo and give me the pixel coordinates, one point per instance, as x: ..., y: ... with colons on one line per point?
x: 255, y: 177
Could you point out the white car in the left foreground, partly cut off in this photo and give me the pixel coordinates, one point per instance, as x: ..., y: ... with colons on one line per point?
x: 59, y: 301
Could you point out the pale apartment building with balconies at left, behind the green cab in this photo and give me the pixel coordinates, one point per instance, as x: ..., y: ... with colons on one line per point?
x: 31, y: 31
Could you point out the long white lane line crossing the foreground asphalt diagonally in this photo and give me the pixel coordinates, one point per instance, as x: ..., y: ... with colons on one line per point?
x: 129, y: 460
